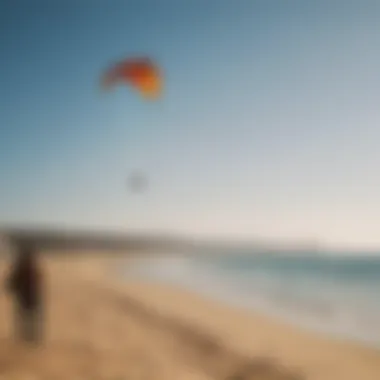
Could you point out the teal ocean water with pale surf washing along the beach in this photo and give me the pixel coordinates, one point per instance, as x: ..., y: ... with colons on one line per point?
x: 334, y: 295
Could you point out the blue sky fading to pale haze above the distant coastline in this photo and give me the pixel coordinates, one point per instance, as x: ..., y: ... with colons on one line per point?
x: 268, y: 128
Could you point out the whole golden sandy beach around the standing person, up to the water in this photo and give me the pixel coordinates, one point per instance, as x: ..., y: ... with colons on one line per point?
x: 101, y: 329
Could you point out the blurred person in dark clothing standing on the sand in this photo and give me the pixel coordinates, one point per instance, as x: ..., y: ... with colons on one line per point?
x: 25, y: 285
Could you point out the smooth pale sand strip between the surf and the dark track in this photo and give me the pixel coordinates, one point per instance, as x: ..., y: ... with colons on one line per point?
x: 252, y: 334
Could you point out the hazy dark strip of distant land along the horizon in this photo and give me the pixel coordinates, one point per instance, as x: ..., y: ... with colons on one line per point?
x: 64, y: 238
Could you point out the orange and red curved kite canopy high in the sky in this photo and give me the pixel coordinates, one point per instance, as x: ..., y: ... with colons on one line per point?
x: 141, y: 73
